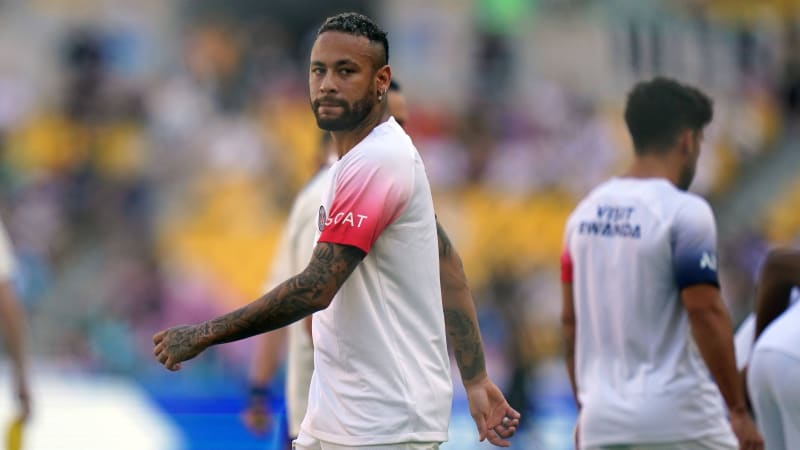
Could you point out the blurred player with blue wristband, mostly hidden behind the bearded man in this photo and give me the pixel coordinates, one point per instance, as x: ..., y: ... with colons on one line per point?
x: 295, y: 248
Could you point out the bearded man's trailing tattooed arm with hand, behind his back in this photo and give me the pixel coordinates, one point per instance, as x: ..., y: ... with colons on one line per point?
x: 495, y: 419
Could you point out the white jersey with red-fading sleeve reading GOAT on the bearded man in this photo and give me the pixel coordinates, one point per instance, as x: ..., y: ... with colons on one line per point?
x: 382, y: 372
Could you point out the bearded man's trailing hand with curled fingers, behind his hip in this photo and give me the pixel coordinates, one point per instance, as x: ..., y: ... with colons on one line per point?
x: 495, y: 419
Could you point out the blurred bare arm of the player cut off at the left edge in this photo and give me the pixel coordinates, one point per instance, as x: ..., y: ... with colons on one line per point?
x: 12, y: 325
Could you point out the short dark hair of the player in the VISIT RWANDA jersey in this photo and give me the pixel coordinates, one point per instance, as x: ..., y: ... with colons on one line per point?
x: 658, y: 110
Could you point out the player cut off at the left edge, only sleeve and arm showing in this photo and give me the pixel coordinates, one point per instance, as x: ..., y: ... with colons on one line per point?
x: 12, y: 326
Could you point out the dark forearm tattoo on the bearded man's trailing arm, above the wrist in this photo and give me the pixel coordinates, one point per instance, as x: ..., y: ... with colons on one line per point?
x: 464, y: 337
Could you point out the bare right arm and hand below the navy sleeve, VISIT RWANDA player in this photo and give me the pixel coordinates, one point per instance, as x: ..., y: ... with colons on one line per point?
x: 713, y: 334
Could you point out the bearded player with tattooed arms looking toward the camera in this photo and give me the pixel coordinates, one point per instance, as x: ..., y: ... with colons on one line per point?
x: 381, y: 371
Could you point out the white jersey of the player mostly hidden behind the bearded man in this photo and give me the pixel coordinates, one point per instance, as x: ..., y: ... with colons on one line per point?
x: 291, y: 258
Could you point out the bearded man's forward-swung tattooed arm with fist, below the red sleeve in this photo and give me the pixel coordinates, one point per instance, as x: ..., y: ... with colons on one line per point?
x: 310, y: 291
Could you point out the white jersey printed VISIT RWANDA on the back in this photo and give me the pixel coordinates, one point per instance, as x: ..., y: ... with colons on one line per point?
x: 630, y: 247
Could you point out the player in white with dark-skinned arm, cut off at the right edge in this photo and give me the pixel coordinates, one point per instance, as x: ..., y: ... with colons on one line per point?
x: 774, y: 365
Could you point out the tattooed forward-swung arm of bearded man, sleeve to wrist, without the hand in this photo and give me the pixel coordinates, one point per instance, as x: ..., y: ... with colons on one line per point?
x: 295, y: 298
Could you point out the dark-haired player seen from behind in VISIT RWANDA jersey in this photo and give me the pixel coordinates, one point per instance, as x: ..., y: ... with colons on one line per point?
x: 643, y: 318
